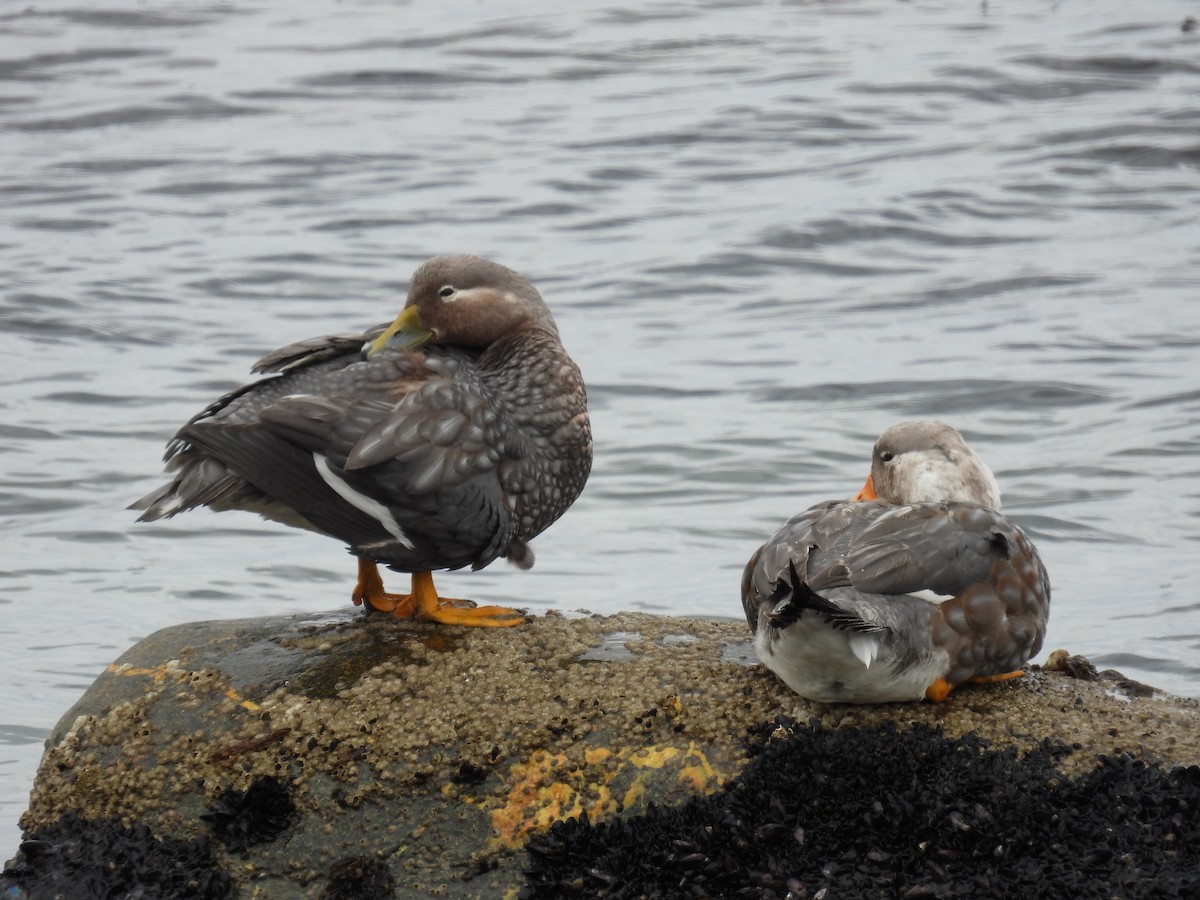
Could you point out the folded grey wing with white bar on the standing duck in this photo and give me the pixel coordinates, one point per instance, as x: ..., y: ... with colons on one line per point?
x: 401, y: 458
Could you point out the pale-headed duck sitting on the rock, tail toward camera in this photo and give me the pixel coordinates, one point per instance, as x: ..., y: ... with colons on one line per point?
x: 835, y: 601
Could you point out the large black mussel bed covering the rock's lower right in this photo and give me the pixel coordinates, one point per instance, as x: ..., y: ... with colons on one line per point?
x: 884, y: 813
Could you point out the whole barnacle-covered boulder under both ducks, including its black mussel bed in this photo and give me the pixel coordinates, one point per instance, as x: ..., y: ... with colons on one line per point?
x: 449, y: 760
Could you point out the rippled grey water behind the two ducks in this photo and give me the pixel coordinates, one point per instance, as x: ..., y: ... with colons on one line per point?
x: 769, y: 232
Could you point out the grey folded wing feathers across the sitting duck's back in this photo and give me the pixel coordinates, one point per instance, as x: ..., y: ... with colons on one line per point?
x: 943, y: 548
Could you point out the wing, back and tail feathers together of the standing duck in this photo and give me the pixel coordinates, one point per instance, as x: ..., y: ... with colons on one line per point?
x: 399, y: 457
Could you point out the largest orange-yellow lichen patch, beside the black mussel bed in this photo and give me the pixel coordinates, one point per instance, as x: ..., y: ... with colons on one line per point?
x: 549, y: 788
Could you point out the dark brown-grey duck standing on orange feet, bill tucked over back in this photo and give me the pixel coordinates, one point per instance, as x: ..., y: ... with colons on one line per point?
x: 449, y: 439
